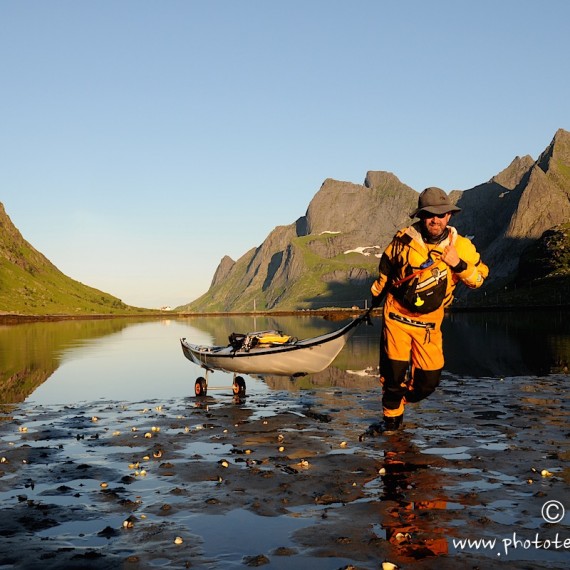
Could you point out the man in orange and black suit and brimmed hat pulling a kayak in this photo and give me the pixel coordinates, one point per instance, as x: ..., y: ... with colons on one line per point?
x: 418, y: 273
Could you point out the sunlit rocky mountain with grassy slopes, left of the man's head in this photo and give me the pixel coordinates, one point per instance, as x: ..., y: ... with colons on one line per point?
x: 325, y: 258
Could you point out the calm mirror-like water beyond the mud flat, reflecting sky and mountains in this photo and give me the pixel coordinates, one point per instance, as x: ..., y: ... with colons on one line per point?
x: 69, y: 362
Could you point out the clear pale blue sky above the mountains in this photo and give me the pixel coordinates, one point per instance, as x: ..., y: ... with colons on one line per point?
x: 141, y: 141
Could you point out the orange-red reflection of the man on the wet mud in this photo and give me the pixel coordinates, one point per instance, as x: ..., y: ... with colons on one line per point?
x: 412, y: 525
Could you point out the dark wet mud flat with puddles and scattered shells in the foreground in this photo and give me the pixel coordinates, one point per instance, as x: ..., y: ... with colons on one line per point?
x: 282, y: 481
